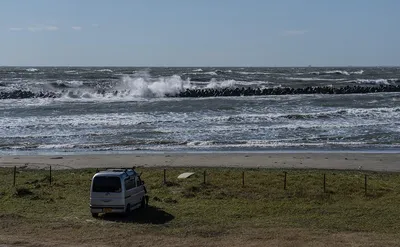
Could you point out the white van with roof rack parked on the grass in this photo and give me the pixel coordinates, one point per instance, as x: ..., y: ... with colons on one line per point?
x: 116, y: 191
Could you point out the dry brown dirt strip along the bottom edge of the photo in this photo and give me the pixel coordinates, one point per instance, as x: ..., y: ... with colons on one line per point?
x: 244, y: 237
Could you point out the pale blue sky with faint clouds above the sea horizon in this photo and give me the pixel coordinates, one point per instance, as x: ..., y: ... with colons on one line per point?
x: 199, y: 33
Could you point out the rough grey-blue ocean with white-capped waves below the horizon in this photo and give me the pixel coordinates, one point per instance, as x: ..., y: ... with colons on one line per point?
x: 128, y: 109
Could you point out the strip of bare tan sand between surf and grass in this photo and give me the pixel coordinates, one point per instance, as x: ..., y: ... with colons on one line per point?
x: 348, y: 161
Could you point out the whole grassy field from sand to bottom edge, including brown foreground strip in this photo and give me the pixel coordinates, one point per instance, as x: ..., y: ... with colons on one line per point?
x: 221, y: 212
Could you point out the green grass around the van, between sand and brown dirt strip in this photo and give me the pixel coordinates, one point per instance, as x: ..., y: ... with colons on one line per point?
x: 222, y: 205
